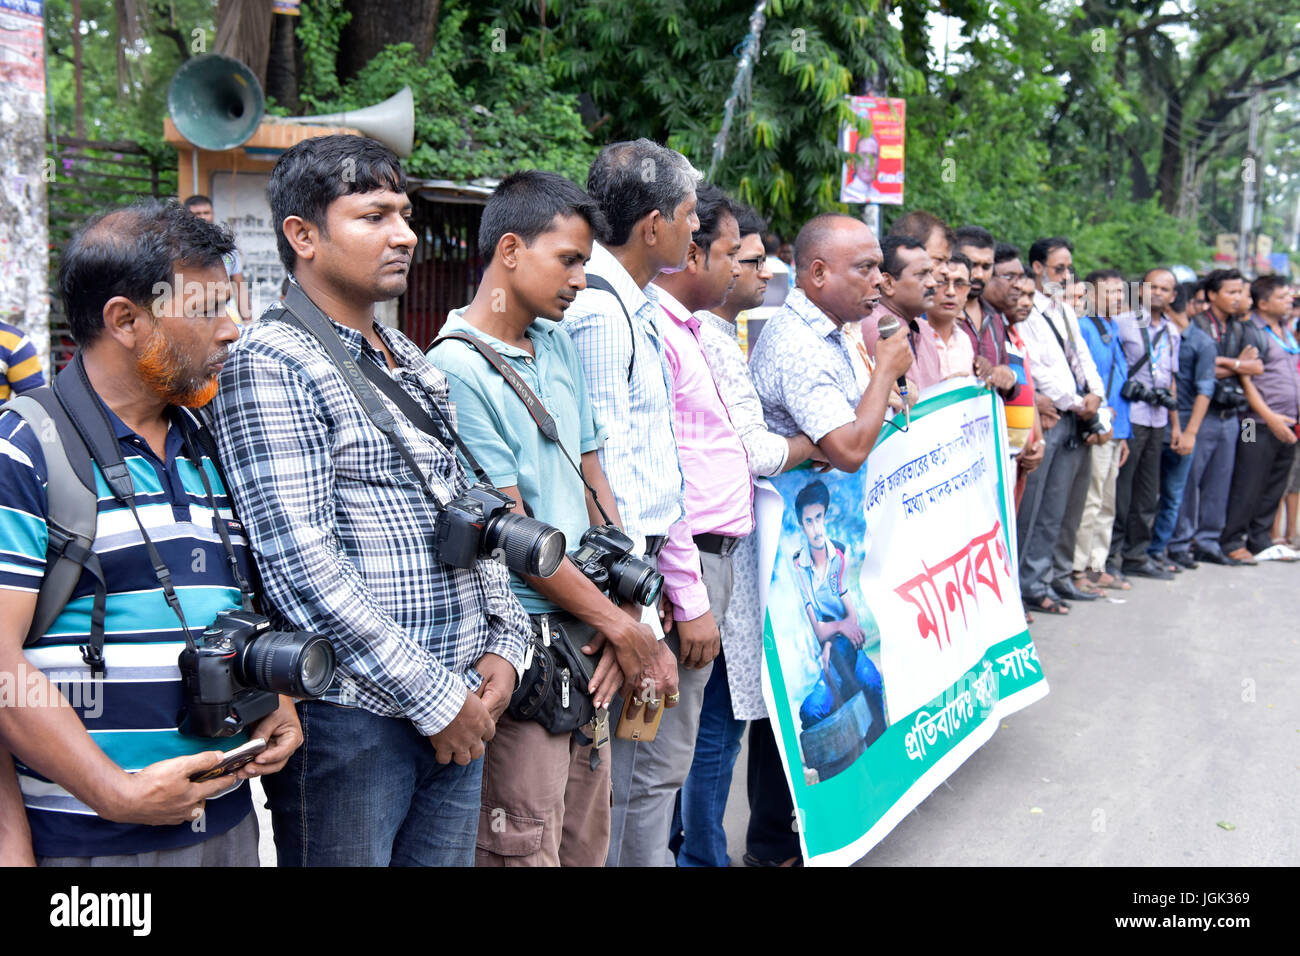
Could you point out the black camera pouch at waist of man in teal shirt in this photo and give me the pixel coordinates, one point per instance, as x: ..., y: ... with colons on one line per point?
x: 553, y: 691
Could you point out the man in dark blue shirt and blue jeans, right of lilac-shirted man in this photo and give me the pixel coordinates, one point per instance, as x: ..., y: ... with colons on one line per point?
x: 1195, y: 380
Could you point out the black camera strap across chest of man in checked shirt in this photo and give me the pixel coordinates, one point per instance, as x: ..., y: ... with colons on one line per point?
x: 305, y: 314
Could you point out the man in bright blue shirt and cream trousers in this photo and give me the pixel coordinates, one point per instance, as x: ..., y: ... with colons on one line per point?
x: 1097, y: 522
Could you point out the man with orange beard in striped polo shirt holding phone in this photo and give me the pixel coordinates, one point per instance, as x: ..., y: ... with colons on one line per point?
x: 103, y: 771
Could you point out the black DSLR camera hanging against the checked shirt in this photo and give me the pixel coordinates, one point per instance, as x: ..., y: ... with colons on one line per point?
x: 480, y: 525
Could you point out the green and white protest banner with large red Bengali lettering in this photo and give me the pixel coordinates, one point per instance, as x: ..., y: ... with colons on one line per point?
x: 895, y: 638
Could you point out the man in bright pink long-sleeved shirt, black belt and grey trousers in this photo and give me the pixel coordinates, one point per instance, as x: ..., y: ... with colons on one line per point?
x: 697, y: 560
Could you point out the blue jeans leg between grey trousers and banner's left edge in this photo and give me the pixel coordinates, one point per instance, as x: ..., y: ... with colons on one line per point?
x: 697, y: 823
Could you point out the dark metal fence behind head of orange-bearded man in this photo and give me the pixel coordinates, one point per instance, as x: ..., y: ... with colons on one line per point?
x: 92, y: 178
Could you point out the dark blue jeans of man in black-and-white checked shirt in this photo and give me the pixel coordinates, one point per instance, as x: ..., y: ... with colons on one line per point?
x: 369, y: 791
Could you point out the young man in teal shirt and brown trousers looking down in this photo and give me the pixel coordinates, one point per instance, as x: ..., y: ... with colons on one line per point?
x: 545, y: 797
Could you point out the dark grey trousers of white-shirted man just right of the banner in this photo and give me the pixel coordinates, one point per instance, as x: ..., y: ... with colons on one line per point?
x: 1042, y: 514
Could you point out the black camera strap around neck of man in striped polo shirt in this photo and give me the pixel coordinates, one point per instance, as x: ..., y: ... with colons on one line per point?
x: 80, y: 401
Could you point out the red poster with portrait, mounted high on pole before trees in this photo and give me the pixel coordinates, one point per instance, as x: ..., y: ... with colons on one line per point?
x: 876, y: 172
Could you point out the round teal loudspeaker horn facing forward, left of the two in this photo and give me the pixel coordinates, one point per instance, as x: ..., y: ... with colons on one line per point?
x: 216, y: 102
